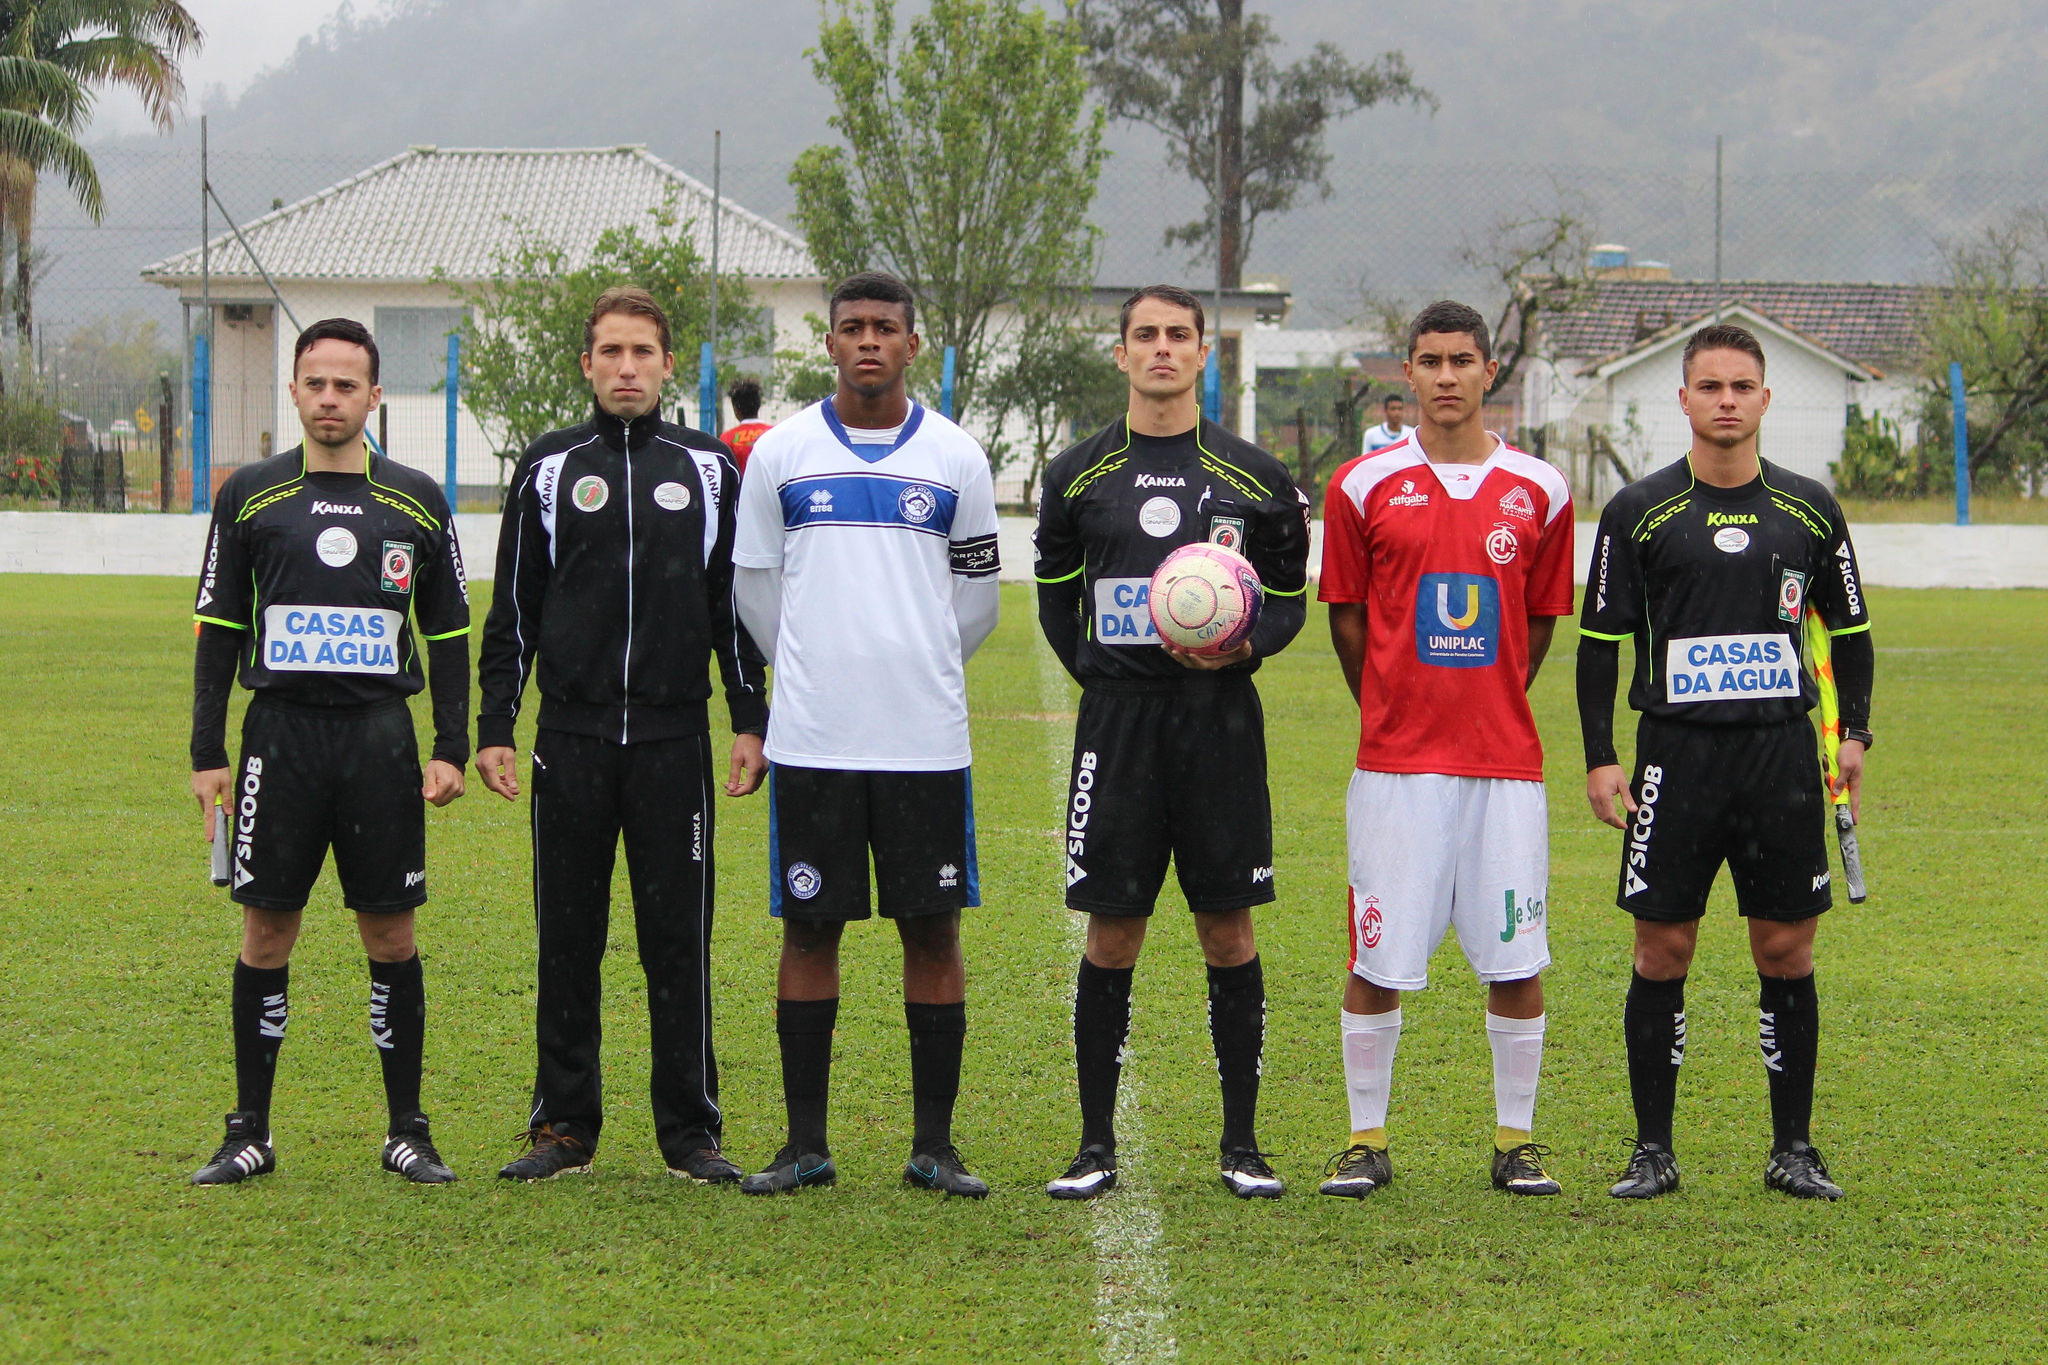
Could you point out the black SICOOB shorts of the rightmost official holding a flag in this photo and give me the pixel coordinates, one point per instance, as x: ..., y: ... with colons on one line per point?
x: 1748, y: 795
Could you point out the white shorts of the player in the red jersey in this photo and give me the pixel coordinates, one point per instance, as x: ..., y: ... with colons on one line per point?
x: 1431, y: 852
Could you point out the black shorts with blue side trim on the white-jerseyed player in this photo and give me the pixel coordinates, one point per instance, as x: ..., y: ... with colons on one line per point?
x: 824, y: 822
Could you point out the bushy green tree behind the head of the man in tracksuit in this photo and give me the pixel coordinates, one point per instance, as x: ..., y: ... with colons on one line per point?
x: 523, y: 339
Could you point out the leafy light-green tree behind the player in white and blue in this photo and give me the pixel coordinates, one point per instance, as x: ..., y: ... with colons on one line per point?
x: 970, y: 167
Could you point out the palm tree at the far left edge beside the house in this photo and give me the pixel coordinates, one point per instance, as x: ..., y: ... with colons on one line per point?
x: 62, y: 52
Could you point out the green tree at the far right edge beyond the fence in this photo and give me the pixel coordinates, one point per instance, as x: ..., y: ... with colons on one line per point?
x: 1994, y: 318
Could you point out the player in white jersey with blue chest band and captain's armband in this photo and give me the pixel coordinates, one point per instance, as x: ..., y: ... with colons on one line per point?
x: 865, y: 568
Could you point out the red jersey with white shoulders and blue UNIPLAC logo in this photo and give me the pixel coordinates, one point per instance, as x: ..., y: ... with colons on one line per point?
x: 1451, y: 564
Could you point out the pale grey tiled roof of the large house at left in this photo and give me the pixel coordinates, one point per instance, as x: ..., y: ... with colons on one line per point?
x: 456, y: 210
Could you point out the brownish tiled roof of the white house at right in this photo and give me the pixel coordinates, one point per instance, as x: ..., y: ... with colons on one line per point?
x: 1873, y: 324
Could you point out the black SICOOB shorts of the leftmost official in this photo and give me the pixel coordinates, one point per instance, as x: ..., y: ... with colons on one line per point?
x: 312, y: 779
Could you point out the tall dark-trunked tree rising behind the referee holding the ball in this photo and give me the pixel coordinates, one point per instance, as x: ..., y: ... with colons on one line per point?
x: 1185, y: 67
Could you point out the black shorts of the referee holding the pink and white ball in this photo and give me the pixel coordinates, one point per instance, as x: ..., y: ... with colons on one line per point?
x: 1170, y: 775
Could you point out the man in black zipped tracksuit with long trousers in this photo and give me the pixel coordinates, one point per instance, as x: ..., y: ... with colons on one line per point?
x: 615, y: 568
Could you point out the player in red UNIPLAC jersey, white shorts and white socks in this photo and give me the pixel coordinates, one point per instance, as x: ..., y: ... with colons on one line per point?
x: 1447, y: 562
